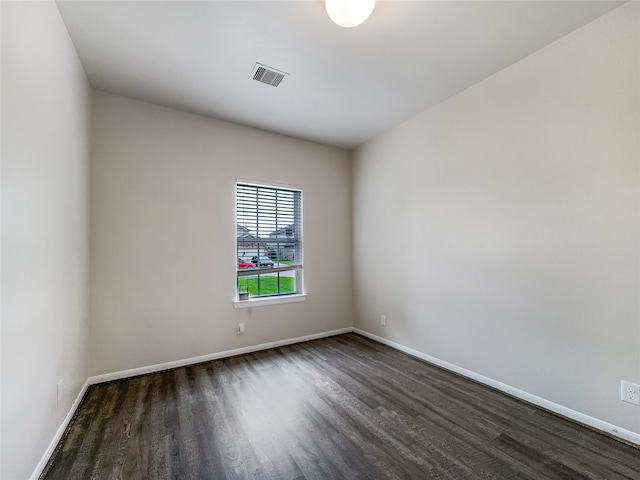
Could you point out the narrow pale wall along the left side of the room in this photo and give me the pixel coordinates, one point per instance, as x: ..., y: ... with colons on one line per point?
x: 45, y: 202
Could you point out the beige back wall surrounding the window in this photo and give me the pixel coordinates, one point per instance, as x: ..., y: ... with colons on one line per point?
x: 163, y: 234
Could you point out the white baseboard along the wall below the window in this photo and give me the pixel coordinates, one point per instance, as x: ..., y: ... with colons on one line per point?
x: 107, y: 377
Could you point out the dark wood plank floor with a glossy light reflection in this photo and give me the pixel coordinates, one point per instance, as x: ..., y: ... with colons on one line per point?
x: 344, y: 407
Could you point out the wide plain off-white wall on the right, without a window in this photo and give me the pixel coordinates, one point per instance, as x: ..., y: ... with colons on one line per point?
x: 507, y: 222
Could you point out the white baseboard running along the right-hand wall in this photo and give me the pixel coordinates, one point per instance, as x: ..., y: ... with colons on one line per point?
x: 605, y: 427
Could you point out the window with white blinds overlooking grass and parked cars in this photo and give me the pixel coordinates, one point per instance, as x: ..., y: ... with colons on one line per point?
x: 269, y: 241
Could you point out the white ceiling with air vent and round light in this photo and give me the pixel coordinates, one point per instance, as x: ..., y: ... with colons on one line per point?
x: 345, y: 85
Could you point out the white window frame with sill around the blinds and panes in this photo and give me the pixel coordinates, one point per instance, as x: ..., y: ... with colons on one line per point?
x: 264, y: 242
